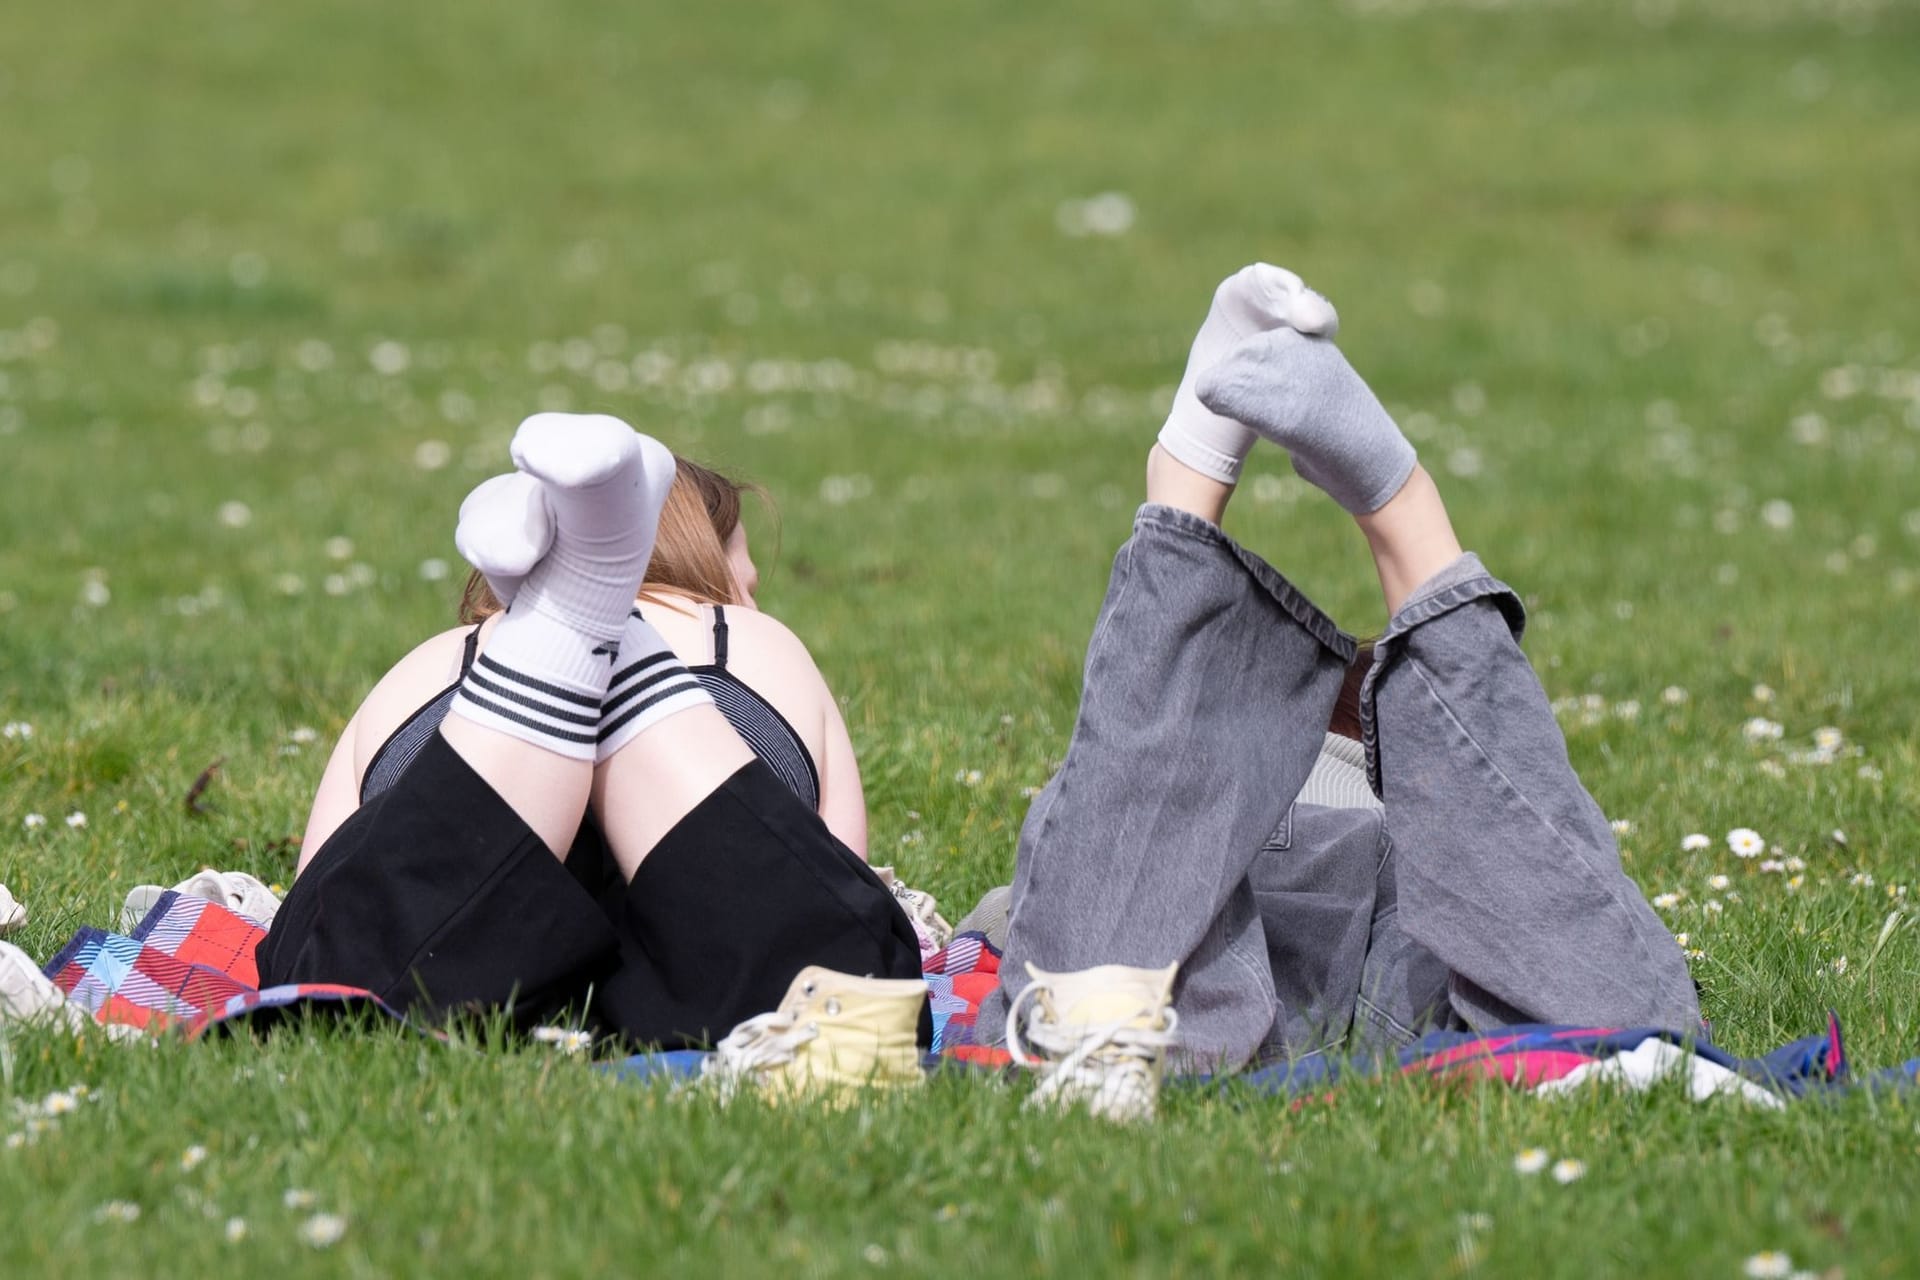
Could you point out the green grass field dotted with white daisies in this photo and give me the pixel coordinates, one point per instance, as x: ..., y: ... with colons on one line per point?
x: 279, y: 281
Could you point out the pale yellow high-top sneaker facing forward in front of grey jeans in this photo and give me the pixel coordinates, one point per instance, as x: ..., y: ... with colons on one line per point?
x: 1101, y: 1037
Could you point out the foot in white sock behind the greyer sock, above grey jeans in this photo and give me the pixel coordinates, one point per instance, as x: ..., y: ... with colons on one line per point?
x: 1249, y: 302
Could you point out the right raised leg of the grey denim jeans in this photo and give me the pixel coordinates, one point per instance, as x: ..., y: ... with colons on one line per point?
x: 1504, y: 866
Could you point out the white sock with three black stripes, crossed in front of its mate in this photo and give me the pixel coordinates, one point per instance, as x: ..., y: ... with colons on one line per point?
x: 546, y: 667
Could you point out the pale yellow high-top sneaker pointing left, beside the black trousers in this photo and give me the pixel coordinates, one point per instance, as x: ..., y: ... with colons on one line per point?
x: 834, y: 1033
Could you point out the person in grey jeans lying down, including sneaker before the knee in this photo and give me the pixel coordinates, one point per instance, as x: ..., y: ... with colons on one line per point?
x: 1176, y: 889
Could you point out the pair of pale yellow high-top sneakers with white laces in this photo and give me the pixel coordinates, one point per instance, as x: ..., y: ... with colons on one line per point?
x: 1095, y: 1037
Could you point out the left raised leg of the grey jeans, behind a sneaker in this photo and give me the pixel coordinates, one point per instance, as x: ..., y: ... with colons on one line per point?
x: 1207, y: 698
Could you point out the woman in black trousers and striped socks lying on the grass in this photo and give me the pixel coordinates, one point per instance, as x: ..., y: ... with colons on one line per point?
x: 579, y: 824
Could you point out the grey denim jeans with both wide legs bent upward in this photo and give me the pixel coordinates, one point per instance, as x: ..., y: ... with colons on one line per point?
x: 1487, y: 891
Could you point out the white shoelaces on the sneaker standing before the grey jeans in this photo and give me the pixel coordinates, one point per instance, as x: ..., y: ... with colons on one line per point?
x: 1115, y: 1068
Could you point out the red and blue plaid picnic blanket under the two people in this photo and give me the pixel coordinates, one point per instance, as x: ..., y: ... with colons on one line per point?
x: 189, y: 968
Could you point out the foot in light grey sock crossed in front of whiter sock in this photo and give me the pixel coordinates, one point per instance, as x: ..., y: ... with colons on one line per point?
x: 1301, y: 394
